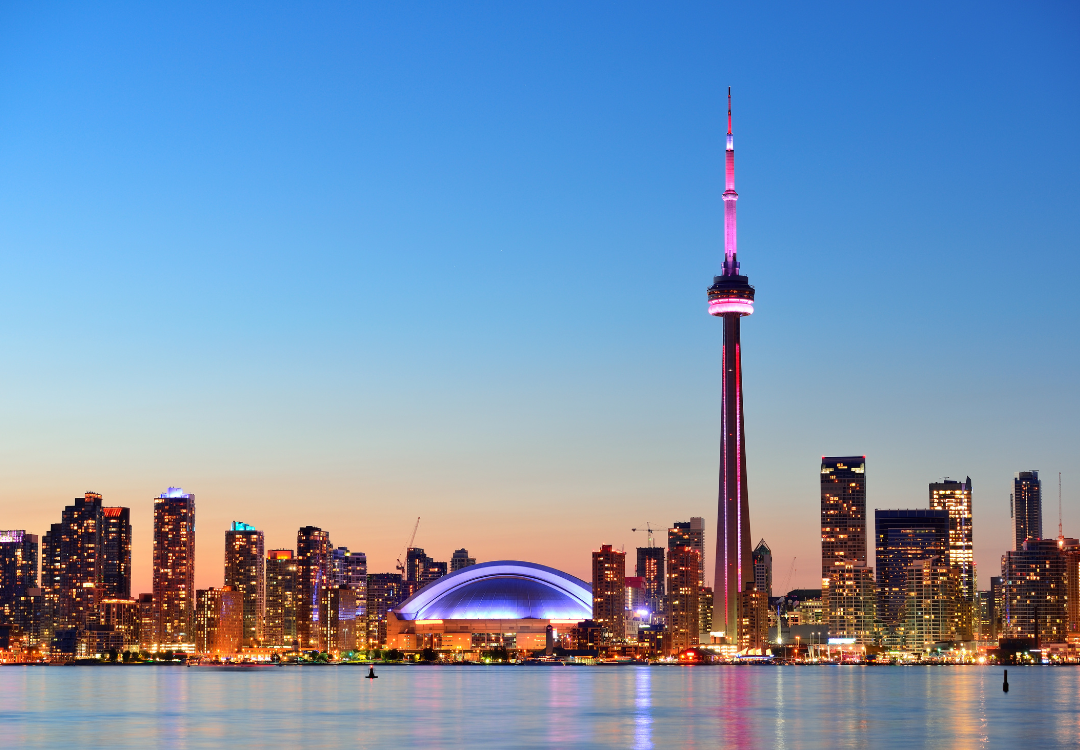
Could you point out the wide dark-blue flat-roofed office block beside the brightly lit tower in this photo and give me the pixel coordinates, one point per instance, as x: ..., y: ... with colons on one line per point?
x: 903, y: 538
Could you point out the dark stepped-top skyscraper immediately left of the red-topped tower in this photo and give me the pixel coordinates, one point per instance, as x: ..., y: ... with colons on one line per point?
x: 83, y: 568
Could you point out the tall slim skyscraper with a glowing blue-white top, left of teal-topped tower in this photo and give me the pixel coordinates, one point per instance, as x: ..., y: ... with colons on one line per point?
x: 174, y: 566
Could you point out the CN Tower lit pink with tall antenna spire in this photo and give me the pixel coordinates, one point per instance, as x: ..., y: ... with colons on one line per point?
x: 731, y: 298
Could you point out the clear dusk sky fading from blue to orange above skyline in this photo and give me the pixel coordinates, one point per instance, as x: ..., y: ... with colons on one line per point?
x: 349, y: 265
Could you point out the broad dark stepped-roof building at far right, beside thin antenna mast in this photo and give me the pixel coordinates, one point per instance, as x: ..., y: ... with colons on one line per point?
x: 1034, y: 580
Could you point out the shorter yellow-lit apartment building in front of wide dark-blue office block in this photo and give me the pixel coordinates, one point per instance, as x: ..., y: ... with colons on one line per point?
x: 930, y: 610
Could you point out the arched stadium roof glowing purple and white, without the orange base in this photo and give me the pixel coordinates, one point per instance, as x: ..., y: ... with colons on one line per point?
x: 502, y: 591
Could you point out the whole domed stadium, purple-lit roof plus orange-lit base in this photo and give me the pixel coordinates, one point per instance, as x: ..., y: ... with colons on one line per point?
x: 496, y: 605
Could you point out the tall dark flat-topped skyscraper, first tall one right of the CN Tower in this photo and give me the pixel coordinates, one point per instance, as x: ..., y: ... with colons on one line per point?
x: 843, y: 512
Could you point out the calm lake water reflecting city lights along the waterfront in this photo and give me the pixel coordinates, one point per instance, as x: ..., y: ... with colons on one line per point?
x: 532, y: 707
